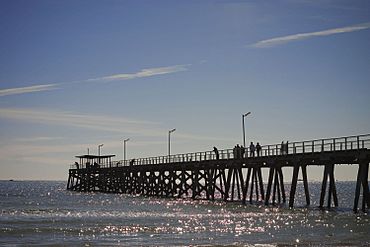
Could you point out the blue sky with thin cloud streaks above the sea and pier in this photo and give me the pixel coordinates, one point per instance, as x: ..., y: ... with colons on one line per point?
x: 78, y: 73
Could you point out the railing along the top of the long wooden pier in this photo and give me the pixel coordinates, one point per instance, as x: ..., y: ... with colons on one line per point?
x: 301, y: 147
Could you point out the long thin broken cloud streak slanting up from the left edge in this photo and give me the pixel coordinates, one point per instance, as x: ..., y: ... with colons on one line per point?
x: 115, y: 77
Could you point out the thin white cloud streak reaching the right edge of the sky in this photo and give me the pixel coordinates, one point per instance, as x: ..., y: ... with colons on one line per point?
x: 301, y: 36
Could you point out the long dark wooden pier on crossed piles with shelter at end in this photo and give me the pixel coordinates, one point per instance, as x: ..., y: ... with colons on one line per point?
x: 228, y: 177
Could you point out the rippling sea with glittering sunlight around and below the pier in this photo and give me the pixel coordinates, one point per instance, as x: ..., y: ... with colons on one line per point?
x: 44, y: 213
